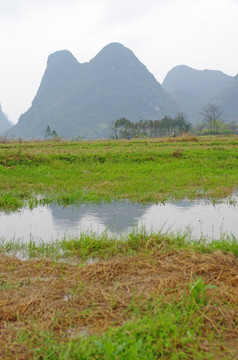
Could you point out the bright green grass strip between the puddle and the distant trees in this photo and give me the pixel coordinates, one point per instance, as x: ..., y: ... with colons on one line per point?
x: 144, y: 170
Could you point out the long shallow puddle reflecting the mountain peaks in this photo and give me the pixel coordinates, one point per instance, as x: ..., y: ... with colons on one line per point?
x: 52, y: 222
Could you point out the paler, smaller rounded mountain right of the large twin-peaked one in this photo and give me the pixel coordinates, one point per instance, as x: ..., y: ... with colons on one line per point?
x: 192, y: 89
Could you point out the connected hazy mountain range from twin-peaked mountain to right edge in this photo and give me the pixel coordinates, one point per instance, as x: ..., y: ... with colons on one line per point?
x: 82, y: 99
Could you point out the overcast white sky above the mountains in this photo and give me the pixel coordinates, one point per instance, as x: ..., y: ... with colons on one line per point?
x: 202, y: 34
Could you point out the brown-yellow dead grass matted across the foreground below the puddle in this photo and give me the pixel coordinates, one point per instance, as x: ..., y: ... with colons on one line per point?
x: 75, y: 300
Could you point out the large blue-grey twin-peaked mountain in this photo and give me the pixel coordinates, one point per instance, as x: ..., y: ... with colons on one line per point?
x: 78, y: 99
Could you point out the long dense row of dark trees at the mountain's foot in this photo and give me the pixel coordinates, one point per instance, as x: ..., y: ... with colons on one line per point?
x: 123, y: 128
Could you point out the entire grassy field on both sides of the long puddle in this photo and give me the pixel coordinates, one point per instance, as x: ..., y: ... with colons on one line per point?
x: 141, y: 296
